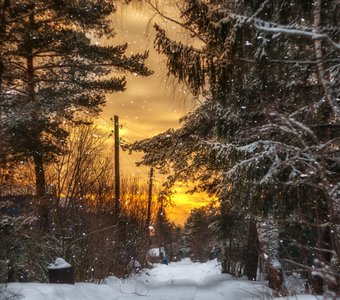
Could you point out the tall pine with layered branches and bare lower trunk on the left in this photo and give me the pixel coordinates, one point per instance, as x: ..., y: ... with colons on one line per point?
x: 55, y: 74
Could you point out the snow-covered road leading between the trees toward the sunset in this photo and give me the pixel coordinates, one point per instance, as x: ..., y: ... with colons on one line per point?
x: 186, y: 280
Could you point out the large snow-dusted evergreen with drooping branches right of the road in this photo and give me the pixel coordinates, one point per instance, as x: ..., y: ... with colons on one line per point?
x: 266, y: 136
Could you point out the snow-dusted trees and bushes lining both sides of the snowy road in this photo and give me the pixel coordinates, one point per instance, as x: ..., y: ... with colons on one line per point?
x: 263, y: 141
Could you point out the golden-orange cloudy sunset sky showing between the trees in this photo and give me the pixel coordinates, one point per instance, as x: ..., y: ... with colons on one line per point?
x: 149, y: 105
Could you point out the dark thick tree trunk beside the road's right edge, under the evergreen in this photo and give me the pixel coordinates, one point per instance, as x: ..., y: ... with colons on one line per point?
x: 252, y: 250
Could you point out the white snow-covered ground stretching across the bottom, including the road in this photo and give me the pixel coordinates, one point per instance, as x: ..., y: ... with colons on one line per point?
x: 182, y: 280
